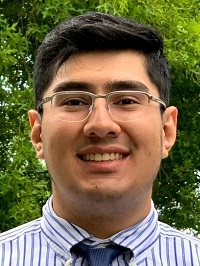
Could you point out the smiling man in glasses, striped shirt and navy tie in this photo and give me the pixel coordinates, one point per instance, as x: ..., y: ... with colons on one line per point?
x: 103, y: 124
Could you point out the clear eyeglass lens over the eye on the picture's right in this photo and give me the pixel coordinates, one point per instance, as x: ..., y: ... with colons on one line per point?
x: 128, y: 106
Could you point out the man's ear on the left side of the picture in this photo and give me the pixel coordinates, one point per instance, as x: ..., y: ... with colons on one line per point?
x: 36, y: 130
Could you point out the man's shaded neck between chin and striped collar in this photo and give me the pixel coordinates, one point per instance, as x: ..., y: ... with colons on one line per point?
x: 103, y: 220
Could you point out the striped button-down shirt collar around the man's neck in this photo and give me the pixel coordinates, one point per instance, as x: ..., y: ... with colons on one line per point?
x: 62, y: 235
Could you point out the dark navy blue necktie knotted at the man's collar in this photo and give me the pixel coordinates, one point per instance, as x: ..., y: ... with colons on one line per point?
x: 99, y: 256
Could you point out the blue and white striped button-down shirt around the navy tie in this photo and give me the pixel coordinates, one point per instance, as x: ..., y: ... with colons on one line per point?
x: 47, y: 242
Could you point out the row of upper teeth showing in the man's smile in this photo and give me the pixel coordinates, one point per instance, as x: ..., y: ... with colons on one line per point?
x: 98, y: 157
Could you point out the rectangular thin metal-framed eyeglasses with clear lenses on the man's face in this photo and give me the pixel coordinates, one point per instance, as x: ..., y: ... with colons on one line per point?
x: 124, y: 106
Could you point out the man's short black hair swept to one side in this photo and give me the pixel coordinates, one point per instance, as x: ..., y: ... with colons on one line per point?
x: 96, y: 31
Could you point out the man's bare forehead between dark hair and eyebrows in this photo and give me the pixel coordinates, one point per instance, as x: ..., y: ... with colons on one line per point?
x: 97, y: 69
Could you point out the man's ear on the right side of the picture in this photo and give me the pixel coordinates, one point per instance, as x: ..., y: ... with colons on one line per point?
x: 169, y: 129
